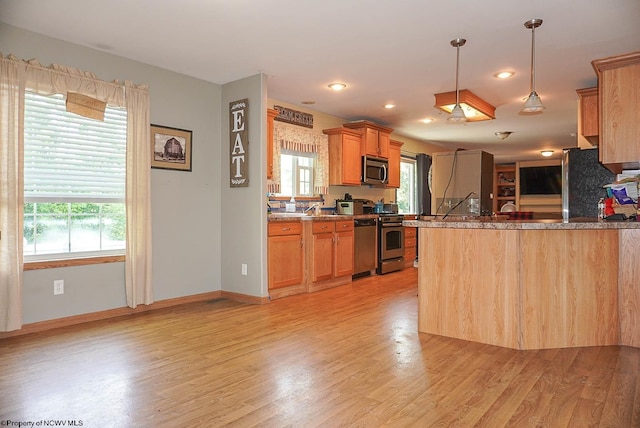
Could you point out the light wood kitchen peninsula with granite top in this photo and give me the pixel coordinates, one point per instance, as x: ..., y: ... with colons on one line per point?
x: 530, y: 284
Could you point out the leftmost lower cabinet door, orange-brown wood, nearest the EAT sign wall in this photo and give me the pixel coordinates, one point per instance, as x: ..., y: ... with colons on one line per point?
x: 285, y: 260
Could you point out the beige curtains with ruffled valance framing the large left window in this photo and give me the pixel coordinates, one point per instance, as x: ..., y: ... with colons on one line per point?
x: 60, y: 79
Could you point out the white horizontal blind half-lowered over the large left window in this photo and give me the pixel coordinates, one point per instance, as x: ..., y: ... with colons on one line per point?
x: 70, y: 158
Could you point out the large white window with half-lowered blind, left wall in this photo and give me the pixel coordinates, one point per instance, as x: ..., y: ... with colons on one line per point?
x: 74, y: 181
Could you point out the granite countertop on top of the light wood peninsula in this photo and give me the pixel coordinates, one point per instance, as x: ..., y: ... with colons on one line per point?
x: 488, y: 223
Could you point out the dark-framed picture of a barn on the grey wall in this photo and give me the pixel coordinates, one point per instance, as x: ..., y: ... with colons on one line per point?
x: 170, y: 148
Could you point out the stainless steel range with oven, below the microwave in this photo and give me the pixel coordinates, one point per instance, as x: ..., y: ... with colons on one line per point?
x: 390, y: 243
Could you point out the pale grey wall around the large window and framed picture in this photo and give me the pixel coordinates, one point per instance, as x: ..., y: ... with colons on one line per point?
x: 186, y: 205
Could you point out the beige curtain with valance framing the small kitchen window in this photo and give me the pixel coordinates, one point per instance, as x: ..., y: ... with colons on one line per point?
x: 302, y: 140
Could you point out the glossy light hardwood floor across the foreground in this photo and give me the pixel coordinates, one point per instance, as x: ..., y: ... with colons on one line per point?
x: 348, y: 356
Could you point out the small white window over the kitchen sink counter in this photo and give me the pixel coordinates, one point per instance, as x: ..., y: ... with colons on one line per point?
x: 296, y: 173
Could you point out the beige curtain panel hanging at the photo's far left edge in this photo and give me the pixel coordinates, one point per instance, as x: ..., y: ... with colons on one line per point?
x: 11, y: 194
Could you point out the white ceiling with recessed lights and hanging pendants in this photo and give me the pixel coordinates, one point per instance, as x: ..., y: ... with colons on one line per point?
x: 385, y: 51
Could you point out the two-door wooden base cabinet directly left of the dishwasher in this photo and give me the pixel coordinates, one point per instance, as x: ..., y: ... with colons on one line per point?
x: 330, y: 254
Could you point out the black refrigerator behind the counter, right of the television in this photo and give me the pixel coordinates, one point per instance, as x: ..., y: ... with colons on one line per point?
x: 583, y: 178
